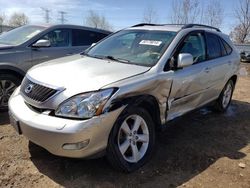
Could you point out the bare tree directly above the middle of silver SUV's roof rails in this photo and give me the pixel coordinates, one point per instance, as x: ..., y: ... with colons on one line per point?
x: 185, y: 11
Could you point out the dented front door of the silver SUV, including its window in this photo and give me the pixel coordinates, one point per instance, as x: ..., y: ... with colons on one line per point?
x: 190, y: 84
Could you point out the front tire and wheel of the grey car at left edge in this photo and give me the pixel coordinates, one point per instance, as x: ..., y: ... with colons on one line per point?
x: 8, y: 83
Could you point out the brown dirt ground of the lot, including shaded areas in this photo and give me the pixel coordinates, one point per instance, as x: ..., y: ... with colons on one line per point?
x: 203, y: 149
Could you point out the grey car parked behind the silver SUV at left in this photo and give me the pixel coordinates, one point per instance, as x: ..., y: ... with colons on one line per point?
x: 26, y: 46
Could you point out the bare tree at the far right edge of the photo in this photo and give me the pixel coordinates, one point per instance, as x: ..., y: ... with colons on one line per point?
x: 241, y: 32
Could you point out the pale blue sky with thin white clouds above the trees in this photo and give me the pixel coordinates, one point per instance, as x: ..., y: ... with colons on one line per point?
x: 120, y: 14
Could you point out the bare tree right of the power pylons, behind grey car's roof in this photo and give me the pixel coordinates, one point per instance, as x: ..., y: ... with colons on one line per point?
x: 95, y: 20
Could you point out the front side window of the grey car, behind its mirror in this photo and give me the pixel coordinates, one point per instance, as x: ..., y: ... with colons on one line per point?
x: 58, y: 37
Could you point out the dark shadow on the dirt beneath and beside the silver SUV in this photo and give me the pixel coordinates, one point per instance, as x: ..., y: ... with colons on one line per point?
x: 187, y: 147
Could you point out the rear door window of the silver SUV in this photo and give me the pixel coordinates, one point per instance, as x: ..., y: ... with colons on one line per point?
x: 213, y: 46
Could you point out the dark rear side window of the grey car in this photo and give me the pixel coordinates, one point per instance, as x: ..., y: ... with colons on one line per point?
x: 85, y: 38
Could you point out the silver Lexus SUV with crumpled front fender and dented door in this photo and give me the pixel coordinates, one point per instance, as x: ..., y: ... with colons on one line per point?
x: 112, y: 99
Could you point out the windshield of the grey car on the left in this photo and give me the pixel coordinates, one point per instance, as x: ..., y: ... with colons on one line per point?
x: 20, y: 35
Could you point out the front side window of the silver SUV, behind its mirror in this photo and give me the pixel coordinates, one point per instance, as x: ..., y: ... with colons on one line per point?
x: 195, y: 45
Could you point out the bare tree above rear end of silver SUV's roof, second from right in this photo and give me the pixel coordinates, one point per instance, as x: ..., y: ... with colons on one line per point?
x: 214, y: 13
